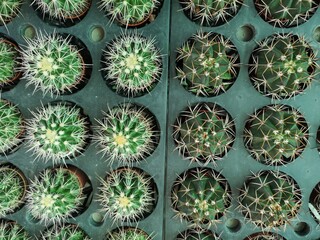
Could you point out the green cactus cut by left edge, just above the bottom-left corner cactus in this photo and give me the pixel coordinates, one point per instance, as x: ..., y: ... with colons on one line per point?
x: 12, y: 189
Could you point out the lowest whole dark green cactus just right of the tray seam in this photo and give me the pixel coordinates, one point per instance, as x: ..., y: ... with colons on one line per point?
x: 201, y: 196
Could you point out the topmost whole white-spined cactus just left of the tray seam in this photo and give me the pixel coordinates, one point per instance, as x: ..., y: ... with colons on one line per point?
x: 132, y: 64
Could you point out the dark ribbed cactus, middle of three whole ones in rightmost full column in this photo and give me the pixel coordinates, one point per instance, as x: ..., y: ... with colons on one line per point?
x: 276, y: 134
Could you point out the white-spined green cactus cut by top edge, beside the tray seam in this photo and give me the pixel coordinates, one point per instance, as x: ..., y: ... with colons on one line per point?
x: 130, y: 12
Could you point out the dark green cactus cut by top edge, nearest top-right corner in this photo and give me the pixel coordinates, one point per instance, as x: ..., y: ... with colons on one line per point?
x: 286, y: 13
